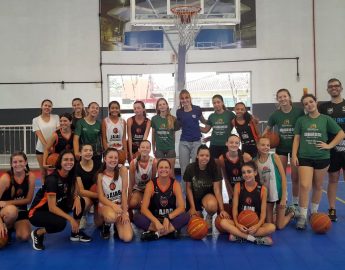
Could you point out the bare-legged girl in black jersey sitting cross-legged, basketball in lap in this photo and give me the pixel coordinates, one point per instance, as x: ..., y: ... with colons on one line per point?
x: 252, y: 196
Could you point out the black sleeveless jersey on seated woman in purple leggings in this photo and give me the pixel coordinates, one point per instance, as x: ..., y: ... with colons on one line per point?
x: 162, y: 203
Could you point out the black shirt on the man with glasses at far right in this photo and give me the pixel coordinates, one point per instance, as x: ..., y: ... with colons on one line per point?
x: 337, y: 112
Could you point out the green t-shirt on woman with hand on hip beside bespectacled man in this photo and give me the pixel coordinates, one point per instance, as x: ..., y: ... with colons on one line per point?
x: 313, y: 130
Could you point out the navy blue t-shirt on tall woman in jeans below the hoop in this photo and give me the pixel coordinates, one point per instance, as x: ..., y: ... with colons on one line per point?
x: 189, y: 122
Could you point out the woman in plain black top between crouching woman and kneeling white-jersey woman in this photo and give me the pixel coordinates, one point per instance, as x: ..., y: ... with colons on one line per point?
x: 86, y: 177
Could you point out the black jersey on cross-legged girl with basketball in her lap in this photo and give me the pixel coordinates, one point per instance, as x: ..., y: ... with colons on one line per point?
x: 250, y: 200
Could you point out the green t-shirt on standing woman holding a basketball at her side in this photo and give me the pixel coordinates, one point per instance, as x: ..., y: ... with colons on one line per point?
x: 285, y: 123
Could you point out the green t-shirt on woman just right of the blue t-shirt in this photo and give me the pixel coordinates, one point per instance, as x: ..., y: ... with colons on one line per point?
x: 221, y: 127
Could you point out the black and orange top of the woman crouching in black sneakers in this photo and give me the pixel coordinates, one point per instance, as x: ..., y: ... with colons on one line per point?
x: 54, y: 184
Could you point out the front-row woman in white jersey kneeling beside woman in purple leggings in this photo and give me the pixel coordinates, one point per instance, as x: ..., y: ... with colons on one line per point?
x: 112, y: 185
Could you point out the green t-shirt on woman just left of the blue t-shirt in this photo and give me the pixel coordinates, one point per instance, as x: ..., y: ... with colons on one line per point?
x: 165, y: 138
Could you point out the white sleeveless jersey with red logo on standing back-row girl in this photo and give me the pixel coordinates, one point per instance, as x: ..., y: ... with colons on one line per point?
x: 114, y: 133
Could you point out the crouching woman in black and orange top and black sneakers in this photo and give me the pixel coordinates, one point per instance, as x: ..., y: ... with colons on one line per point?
x: 50, y: 209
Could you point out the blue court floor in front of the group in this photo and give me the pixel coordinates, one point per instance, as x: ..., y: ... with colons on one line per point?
x: 292, y: 249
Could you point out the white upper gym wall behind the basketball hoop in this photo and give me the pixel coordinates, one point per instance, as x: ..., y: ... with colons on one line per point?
x: 50, y: 40
